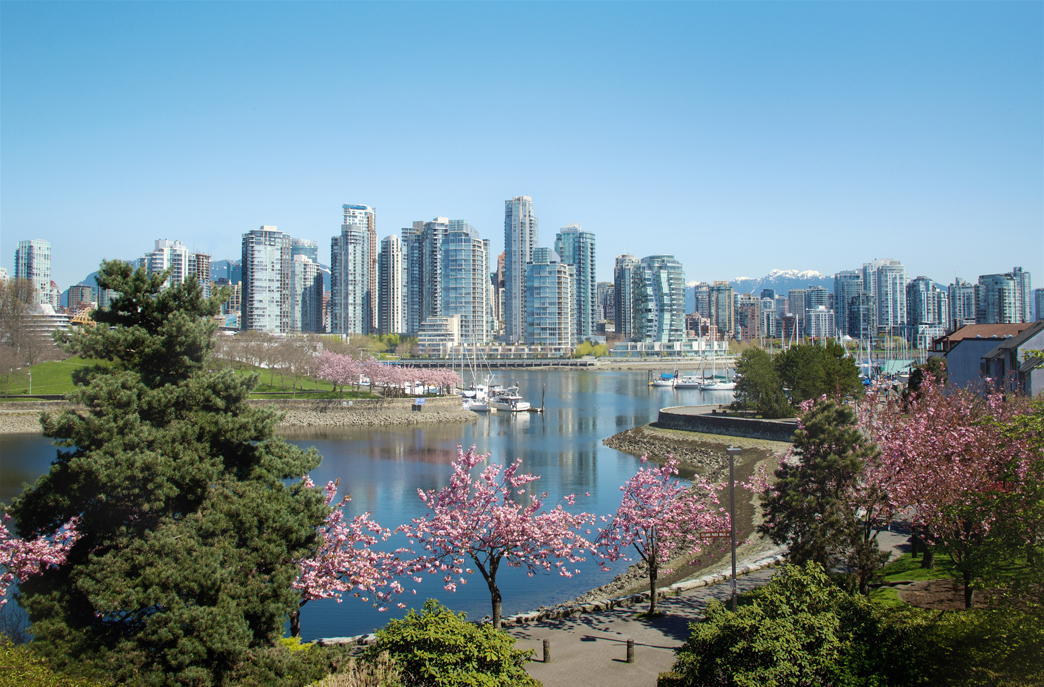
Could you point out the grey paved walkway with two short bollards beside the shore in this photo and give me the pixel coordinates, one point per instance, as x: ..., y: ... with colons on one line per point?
x: 591, y: 649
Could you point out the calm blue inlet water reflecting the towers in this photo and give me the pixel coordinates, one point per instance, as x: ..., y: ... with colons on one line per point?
x: 383, y: 469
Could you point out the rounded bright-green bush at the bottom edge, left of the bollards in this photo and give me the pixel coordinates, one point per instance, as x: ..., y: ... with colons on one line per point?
x: 441, y: 649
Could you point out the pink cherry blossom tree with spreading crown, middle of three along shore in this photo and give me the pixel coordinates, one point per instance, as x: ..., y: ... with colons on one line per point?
x: 479, y: 519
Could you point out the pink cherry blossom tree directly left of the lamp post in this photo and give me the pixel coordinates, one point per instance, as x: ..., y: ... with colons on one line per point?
x: 661, y: 517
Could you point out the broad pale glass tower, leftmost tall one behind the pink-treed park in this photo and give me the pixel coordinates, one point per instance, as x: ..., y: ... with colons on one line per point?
x: 266, y: 270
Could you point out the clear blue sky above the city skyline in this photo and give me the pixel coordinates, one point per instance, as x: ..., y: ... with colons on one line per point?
x: 740, y: 137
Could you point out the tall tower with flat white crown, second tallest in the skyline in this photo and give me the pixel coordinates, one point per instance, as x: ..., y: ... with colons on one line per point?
x: 352, y: 283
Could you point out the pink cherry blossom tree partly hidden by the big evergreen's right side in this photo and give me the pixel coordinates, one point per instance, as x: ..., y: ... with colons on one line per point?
x: 346, y: 562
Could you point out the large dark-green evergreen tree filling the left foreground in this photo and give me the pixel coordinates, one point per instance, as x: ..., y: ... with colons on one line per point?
x: 191, y: 512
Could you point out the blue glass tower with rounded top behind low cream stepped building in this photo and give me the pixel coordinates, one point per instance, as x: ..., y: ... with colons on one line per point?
x: 464, y: 281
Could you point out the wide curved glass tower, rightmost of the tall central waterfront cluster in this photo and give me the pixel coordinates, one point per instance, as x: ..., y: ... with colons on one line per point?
x: 659, y: 300
